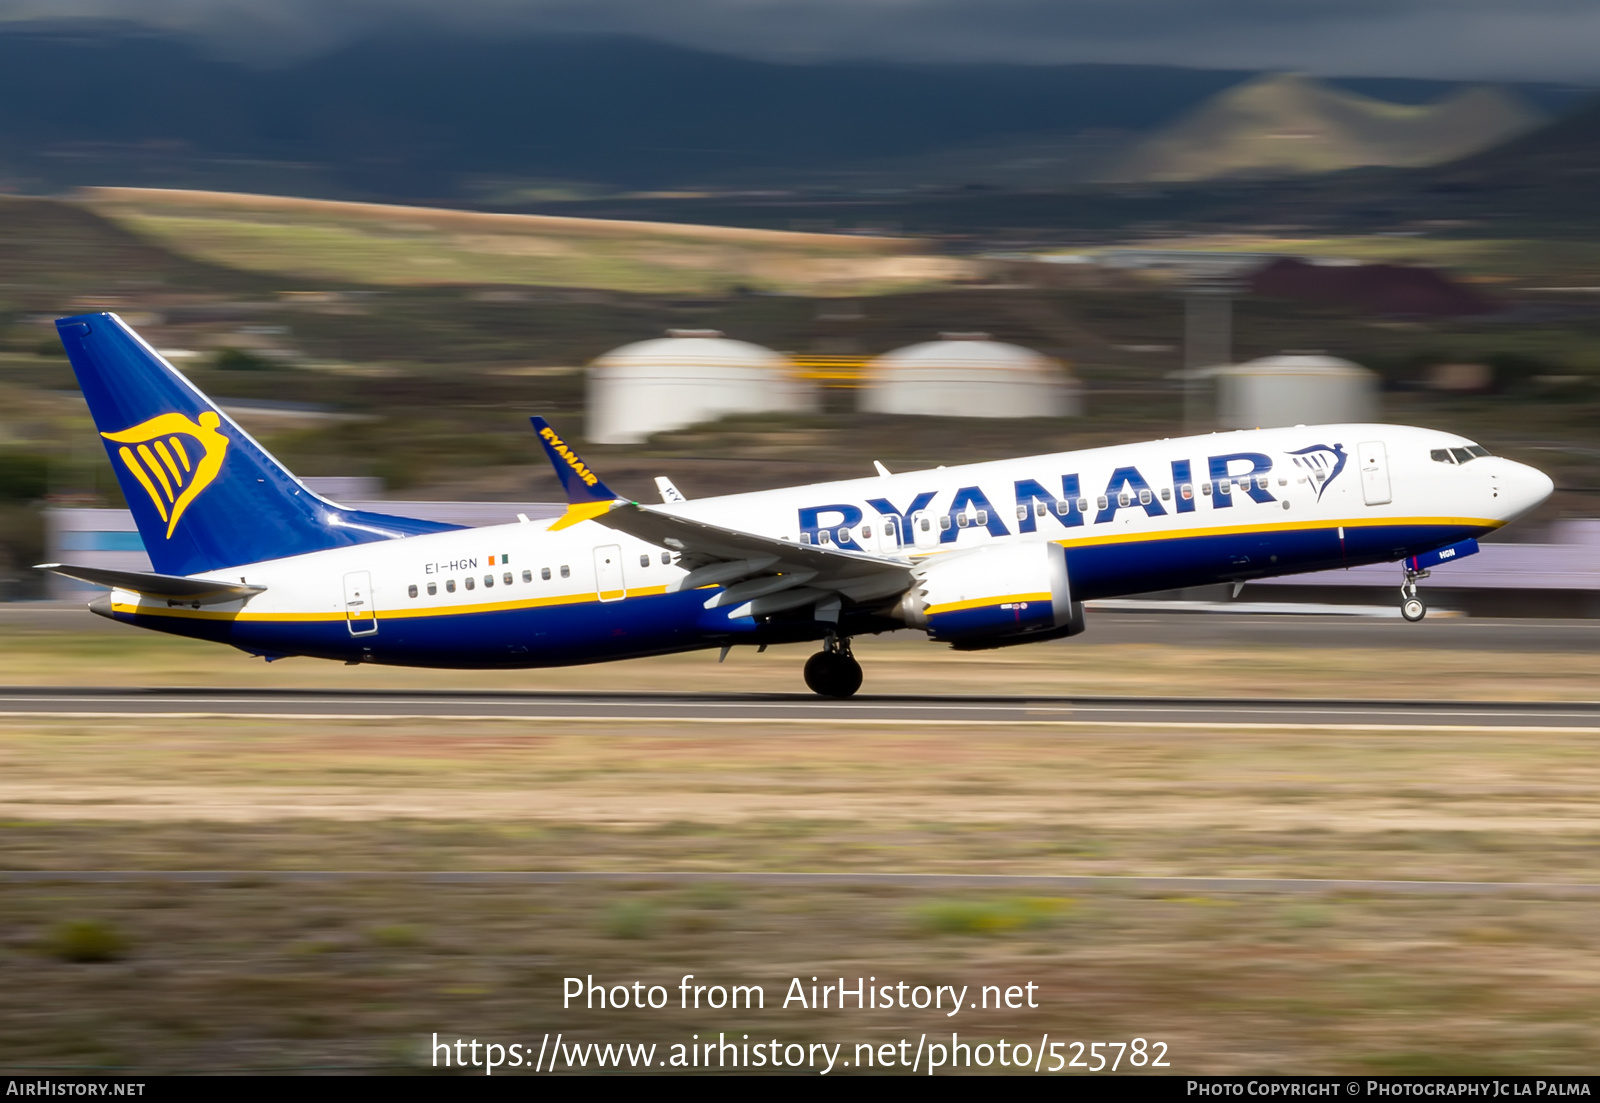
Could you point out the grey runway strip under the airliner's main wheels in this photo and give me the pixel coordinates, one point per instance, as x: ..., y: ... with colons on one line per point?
x: 804, y: 710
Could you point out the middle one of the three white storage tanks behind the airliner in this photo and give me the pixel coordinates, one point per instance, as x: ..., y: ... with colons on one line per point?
x: 970, y: 375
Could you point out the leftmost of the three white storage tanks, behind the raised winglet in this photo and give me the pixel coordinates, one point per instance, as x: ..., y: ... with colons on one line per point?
x: 686, y: 379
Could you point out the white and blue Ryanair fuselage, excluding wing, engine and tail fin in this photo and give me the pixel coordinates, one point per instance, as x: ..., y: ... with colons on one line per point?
x: 1132, y: 519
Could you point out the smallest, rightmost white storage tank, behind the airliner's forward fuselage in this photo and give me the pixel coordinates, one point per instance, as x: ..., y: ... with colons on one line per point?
x: 1294, y: 390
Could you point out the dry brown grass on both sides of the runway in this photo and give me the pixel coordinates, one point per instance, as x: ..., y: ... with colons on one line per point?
x: 361, y: 974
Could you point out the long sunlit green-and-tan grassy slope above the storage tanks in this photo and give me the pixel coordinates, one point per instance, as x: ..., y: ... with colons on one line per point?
x: 369, y: 244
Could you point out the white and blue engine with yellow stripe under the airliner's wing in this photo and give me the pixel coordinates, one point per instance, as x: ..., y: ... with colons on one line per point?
x: 994, y: 596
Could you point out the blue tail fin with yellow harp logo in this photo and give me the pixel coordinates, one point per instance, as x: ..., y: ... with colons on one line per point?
x: 204, y: 494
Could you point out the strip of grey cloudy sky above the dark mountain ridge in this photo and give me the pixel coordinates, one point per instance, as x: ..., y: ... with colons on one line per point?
x: 1556, y: 41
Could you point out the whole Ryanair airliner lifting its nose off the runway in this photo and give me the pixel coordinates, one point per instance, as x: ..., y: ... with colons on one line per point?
x: 977, y: 556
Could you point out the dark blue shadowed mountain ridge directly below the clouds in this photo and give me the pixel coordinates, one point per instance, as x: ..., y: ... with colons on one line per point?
x: 538, y: 121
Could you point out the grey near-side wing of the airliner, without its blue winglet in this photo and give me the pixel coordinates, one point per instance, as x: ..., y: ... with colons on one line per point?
x: 778, y: 574
